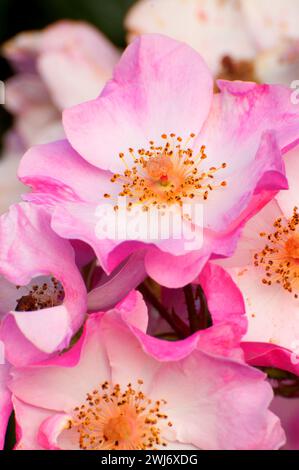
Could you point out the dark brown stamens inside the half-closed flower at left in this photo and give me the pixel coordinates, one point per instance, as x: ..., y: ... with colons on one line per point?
x: 41, y: 295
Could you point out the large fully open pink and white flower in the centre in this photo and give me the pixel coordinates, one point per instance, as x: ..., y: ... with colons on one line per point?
x: 190, y: 148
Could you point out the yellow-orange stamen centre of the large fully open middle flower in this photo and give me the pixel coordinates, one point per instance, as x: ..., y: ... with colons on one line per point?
x: 166, y: 174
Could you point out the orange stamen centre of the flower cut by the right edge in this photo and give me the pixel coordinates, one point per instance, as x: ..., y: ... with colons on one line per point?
x: 280, y: 256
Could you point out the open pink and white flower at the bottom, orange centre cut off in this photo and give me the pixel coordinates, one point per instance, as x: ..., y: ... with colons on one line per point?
x: 120, y: 389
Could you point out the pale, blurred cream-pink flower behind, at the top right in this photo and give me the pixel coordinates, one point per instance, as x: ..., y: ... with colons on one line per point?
x: 243, y: 39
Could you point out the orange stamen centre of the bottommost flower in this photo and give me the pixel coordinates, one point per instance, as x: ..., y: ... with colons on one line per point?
x: 112, y: 419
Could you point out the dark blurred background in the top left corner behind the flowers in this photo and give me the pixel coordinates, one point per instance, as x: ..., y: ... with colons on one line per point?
x: 17, y: 16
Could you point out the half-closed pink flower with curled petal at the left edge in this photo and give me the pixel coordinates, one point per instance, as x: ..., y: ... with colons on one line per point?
x: 43, y: 296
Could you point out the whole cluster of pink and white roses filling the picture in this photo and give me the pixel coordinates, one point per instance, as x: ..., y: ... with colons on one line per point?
x: 149, y: 279
